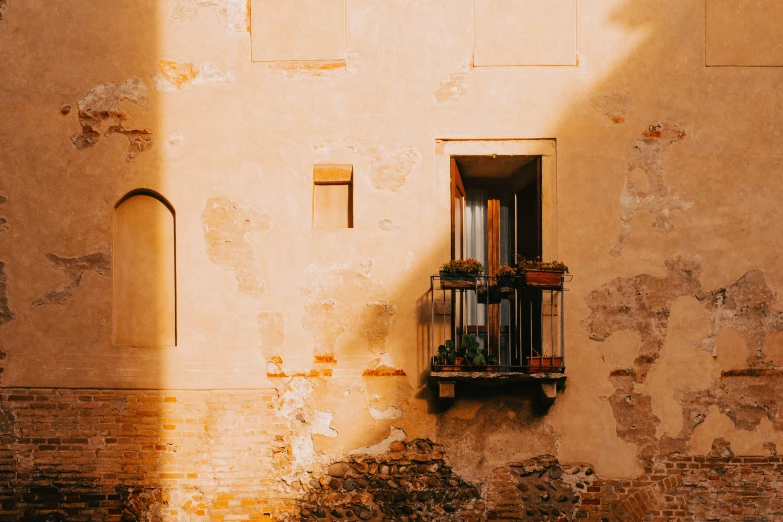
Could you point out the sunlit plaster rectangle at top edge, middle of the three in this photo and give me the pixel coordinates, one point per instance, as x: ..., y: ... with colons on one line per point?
x: 524, y: 32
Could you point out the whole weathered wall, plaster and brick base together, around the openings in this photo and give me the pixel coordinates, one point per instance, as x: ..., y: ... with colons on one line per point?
x: 296, y: 388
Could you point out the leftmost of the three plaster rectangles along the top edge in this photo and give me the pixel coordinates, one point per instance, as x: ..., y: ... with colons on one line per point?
x: 301, y: 30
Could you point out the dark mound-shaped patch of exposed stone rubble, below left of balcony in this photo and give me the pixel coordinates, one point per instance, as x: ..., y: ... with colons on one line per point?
x: 410, y: 482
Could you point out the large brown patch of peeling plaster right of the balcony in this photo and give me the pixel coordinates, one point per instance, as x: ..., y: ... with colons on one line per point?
x: 674, y: 313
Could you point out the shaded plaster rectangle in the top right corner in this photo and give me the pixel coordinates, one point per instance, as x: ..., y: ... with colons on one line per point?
x: 744, y: 33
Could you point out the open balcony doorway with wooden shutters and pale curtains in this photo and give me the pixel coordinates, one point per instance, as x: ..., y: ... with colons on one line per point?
x: 496, y: 209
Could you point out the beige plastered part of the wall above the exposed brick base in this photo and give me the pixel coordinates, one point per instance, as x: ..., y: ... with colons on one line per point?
x: 657, y: 156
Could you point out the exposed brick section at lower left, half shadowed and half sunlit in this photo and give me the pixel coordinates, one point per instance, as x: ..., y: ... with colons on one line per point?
x: 81, y: 455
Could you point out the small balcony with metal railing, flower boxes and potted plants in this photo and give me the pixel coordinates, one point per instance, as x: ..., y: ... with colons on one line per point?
x: 517, y: 326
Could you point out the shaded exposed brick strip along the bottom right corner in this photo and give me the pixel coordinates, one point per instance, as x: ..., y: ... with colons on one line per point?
x: 674, y: 489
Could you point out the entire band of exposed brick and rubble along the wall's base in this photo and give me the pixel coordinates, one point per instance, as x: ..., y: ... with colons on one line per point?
x: 84, y: 455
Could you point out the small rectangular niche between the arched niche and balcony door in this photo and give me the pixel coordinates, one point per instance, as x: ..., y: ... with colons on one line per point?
x: 333, y: 196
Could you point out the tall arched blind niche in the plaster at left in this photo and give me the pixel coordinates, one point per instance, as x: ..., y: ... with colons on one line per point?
x: 144, y: 271
